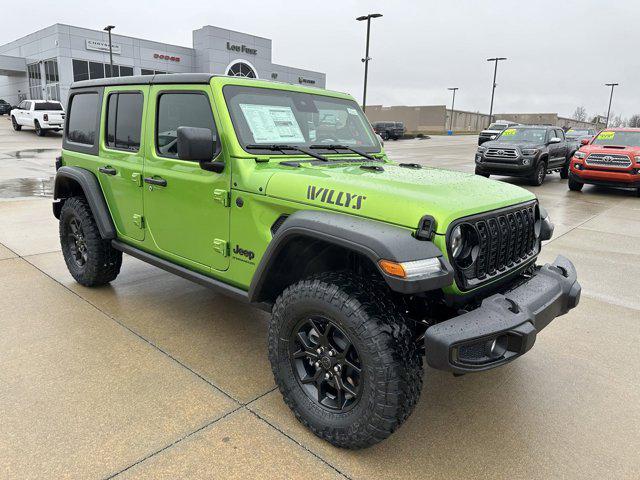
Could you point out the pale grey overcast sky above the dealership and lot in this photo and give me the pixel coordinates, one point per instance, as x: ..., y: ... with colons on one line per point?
x: 560, y: 53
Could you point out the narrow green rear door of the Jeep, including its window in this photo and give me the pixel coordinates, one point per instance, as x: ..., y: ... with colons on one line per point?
x: 122, y: 157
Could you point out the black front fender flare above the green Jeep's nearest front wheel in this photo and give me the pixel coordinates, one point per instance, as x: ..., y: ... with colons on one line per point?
x: 370, y: 238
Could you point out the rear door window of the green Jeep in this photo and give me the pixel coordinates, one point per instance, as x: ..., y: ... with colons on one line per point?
x: 124, y: 120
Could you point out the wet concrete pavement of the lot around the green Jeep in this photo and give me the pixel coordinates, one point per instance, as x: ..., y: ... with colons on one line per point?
x: 156, y: 377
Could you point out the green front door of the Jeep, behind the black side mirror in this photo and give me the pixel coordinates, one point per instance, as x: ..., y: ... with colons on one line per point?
x: 186, y: 208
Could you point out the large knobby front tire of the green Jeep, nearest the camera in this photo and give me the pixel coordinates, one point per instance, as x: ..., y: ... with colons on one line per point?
x: 389, y: 382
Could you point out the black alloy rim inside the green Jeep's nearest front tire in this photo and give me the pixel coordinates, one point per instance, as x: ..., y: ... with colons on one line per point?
x: 326, y: 363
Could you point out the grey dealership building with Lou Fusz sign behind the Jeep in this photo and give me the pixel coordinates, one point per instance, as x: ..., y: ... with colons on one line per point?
x: 43, y: 64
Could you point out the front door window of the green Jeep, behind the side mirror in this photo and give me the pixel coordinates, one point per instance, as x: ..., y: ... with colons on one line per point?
x: 180, y: 110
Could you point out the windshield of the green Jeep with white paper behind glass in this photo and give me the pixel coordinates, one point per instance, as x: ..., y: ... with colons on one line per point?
x: 271, y: 117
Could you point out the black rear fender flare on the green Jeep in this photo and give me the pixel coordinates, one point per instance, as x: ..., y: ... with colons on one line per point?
x: 67, y: 181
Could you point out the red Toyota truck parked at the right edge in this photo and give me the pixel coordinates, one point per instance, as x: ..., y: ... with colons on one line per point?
x: 610, y: 159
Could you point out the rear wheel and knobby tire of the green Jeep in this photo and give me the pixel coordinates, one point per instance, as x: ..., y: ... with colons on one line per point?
x: 91, y: 260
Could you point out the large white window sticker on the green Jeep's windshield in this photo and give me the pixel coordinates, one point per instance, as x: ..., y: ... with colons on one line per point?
x: 272, y: 123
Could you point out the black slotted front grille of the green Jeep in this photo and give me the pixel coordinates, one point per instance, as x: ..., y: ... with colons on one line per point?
x: 506, y: 240
